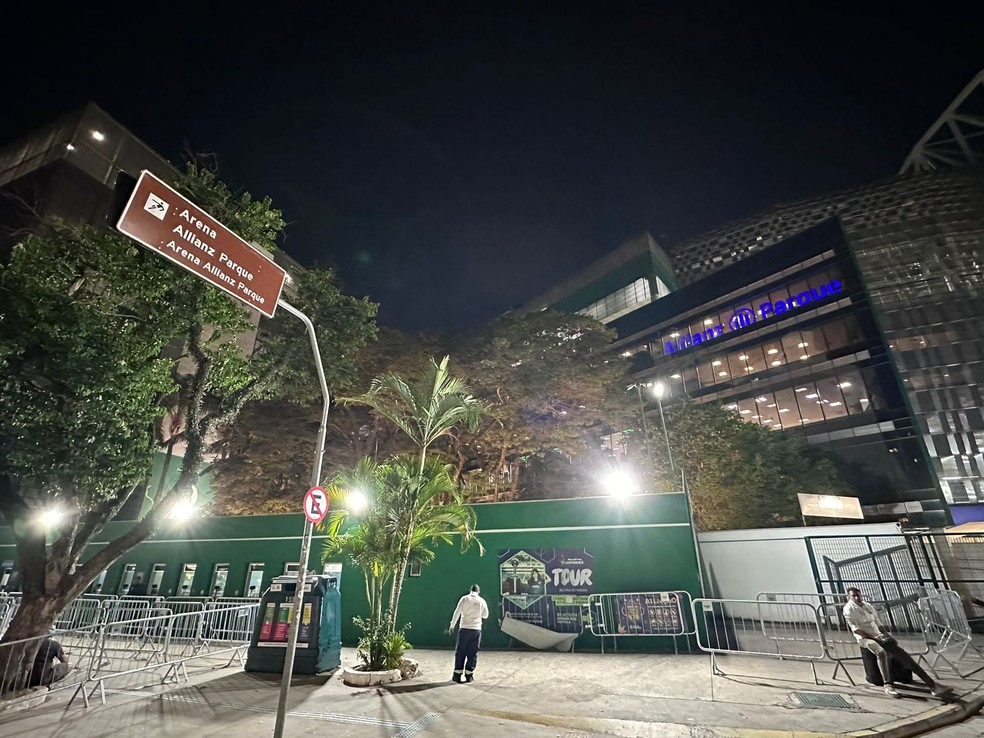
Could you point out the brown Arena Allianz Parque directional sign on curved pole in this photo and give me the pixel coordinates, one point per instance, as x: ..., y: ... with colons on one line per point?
x: 170, y: 224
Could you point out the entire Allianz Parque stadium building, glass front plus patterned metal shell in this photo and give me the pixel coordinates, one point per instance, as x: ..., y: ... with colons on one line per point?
x: 881, y: 361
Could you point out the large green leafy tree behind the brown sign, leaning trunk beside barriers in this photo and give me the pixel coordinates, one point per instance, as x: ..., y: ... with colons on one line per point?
x: 99, y: 338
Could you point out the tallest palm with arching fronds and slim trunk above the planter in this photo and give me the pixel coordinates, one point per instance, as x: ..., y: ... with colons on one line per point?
x: 425, y: 411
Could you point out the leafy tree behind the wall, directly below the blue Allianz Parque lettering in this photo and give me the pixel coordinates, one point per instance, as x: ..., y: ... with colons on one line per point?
x: 740, y: 475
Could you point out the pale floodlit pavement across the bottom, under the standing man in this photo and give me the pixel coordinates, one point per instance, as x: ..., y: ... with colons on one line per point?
x: 516, y: 694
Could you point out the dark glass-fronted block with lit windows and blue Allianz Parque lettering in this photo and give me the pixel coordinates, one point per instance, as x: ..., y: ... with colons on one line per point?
x: 788, y: 340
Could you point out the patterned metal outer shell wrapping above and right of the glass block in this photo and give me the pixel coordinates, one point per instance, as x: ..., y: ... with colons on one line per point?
x: 917, y: 242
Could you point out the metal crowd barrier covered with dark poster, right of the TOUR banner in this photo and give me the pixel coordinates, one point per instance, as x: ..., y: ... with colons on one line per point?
x: 632, y: 614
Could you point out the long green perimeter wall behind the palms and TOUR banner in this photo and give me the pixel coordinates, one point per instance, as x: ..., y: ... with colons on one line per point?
x: 639, y: 543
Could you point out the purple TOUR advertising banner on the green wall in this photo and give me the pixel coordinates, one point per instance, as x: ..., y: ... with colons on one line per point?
x: 546, y: 586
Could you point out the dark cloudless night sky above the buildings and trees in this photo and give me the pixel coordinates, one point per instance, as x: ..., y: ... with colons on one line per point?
x: 453, y: 160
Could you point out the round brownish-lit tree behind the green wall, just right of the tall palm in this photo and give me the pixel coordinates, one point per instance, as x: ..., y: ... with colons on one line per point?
x: 552, y: 386
